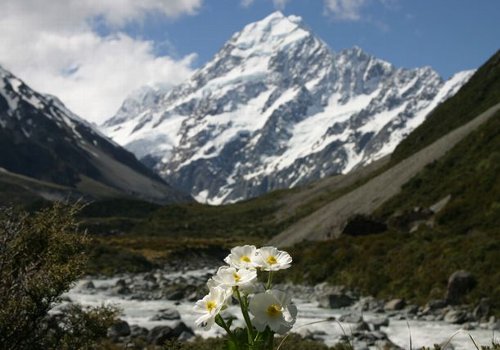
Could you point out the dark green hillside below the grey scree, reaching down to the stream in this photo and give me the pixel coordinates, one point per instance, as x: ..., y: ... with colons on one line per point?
x: 465, y: 235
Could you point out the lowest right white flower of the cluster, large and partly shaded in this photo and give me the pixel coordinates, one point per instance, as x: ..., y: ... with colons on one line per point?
x: 274, y: 309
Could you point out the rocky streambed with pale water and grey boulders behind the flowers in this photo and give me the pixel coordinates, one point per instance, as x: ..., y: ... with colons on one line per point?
x: 157, y: 306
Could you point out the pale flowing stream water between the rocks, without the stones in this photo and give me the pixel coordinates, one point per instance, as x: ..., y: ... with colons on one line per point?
x: 399, y: 331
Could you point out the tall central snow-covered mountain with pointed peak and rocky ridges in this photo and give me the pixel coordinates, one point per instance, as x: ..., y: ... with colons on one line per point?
x: 276, y: 108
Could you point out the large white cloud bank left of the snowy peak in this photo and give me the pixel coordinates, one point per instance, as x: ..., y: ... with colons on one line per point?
x: 53, y: 46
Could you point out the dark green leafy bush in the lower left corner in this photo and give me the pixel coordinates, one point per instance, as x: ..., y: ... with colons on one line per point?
x: 41, y: 255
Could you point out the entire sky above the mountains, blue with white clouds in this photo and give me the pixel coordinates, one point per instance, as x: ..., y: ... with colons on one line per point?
x: 92, y: 54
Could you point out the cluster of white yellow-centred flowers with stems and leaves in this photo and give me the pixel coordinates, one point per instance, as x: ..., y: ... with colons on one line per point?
x: 266, y: 311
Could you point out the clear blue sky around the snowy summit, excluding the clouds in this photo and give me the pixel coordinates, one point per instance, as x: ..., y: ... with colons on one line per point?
x: 449, y: 35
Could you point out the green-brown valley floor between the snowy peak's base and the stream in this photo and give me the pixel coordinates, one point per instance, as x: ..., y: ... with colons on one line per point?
x: 134, y: 236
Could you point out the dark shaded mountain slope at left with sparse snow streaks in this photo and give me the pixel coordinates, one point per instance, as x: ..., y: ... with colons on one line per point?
x: 41, y: 140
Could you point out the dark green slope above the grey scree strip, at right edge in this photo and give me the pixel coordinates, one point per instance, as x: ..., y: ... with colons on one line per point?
x: 481, y: 92
